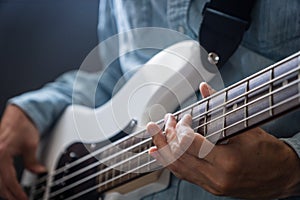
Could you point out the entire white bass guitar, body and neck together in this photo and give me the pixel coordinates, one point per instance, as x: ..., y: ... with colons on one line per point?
x: 102, y: 153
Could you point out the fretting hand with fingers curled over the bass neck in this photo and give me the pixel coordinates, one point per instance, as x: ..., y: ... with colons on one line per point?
x: 251, y: 165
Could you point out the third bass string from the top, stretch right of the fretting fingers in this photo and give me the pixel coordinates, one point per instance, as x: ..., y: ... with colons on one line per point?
x: 251, y: 102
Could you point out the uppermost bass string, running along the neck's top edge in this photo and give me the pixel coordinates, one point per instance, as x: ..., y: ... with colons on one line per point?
x: 161, y: 121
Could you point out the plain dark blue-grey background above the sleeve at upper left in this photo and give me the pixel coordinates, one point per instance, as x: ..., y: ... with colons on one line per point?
x: 40, y: 39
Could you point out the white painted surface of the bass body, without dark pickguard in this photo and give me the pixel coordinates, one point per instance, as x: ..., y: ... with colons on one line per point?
x: 166, y: 81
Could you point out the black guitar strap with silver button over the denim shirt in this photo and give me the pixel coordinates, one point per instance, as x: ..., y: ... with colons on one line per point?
x: 223, y: 26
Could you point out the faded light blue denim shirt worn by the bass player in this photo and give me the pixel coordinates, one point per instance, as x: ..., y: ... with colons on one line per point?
x: 273, y: 35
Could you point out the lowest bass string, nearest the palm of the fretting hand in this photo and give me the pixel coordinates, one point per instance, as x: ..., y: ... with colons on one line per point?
x: 146, y: 164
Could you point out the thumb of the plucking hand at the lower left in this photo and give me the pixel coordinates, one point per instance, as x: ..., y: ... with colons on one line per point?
x: 32, y: 164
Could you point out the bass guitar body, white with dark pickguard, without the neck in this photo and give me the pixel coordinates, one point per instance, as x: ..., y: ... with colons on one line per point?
x: 164, y: 83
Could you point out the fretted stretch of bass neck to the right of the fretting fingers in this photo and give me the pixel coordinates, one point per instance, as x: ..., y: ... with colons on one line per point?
x: 248, y: 103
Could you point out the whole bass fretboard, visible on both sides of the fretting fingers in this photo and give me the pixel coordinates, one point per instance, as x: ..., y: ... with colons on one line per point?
x: 248, y: 103
